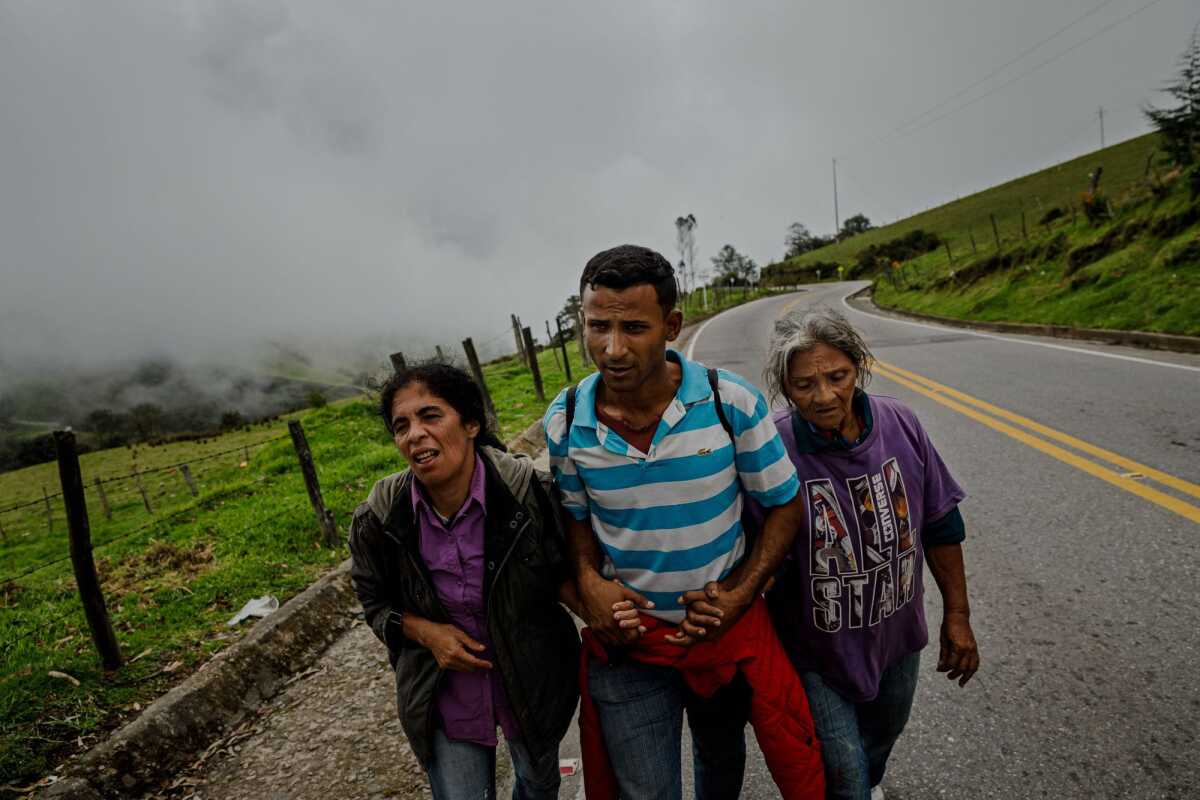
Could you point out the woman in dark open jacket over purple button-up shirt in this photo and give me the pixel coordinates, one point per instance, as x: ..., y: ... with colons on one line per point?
x: 460, y: 566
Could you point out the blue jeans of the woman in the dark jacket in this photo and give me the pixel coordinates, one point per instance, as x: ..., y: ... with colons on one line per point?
x: 464, y: 771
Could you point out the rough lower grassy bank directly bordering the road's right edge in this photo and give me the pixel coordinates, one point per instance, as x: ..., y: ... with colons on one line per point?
x: 1136, y: 270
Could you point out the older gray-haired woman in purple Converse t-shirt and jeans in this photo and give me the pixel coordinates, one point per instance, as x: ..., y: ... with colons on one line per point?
x: 880, y: 503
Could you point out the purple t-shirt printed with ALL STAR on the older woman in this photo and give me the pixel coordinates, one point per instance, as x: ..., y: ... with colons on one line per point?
x: 859, y: 603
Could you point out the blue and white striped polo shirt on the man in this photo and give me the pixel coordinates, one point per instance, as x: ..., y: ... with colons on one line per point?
x: 670, y: 521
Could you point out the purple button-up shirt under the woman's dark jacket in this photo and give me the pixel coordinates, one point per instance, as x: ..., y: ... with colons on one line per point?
x: 471, y: 705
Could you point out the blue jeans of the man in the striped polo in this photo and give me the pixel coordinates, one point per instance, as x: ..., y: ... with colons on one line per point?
x: 641, y: 715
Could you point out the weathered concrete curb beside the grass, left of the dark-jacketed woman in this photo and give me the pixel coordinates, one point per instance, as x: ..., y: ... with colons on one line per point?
x: 178, y: 726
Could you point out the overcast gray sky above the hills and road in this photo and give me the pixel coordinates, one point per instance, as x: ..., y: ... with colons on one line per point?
x: 195, y: 177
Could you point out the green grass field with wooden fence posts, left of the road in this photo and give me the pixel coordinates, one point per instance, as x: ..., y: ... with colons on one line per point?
x: 173, y: 579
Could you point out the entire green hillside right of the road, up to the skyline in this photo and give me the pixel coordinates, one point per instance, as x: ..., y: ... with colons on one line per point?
x: 1127, y: 258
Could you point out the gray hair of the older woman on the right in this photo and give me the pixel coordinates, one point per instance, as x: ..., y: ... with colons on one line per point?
x: 801, y: 332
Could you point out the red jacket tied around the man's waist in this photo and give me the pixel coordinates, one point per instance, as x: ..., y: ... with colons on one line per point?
x: 779, y: 709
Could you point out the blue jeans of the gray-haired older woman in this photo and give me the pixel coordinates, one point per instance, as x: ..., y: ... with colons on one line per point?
x: 857, y: 738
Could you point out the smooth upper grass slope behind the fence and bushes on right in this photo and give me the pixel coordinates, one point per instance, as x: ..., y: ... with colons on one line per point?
x: 956, y: 222
